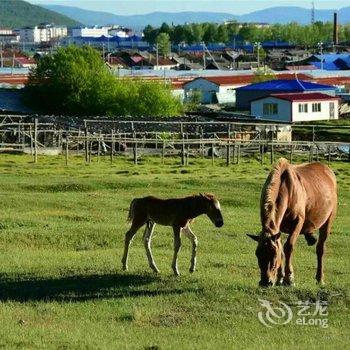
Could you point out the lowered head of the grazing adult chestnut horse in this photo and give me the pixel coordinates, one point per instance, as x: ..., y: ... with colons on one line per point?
x: 270, y: 257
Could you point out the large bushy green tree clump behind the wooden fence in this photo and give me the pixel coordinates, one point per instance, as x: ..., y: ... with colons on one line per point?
x: 76, y: 81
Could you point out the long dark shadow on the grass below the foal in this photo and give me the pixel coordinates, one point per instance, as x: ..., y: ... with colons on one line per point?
x: 80, y: 288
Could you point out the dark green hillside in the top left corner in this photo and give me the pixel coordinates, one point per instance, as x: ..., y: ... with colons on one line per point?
x: 18, y: 13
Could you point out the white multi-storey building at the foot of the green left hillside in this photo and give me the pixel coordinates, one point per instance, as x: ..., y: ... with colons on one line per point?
x: 42, y: 33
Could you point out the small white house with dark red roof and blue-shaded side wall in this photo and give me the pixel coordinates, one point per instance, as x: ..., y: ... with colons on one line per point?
x: 296, y: 107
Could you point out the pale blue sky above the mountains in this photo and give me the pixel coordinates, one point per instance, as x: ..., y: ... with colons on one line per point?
x: 129, y: 7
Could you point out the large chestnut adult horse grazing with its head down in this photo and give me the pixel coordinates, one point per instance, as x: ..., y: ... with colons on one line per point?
x: 296, y: 199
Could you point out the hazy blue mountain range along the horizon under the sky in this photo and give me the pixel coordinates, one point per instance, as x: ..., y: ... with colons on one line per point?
x: 271, y: 15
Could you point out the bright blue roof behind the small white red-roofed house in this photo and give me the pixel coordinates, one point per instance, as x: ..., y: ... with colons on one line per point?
x: 286, y: 85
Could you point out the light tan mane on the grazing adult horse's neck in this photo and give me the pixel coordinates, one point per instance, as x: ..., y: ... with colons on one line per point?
x: 271, y: 189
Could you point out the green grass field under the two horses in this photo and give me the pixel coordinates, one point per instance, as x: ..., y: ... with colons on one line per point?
x: 61, y: 240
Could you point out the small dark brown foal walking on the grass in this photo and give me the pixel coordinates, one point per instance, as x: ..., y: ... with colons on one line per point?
x: 177, y: 213
